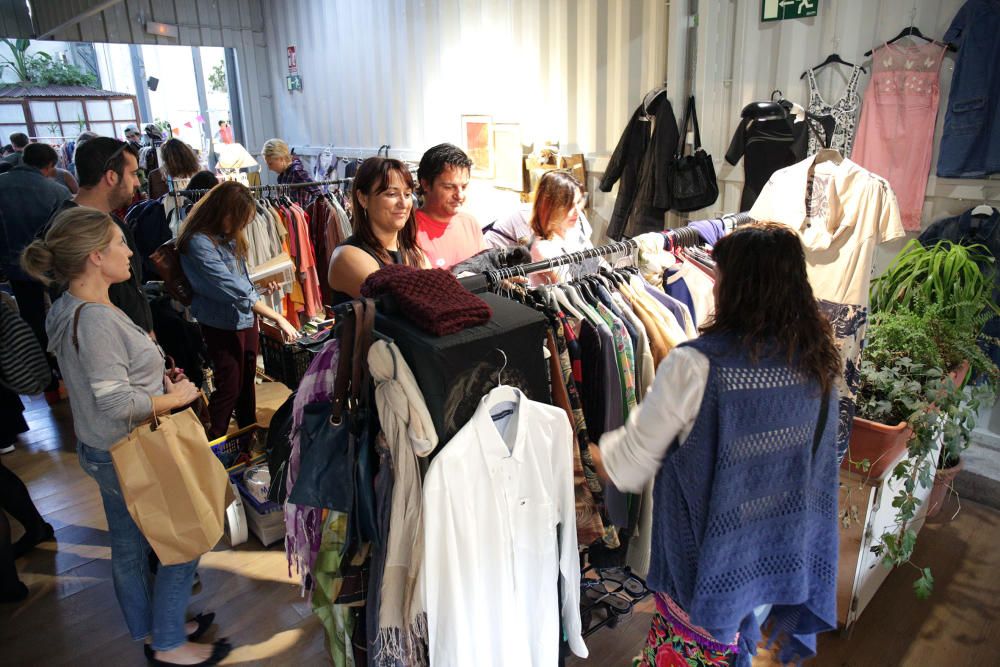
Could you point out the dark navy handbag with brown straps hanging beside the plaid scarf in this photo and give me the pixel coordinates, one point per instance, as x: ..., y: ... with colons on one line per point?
x: 333, y: 432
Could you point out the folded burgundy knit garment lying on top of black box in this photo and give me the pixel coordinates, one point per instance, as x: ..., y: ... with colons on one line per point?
x: 432, y: 299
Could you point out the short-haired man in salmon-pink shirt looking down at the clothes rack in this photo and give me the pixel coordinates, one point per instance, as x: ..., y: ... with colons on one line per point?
x: 446, y: 235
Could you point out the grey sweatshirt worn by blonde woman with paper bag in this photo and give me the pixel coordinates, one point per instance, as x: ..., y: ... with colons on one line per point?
x: 113, y: 377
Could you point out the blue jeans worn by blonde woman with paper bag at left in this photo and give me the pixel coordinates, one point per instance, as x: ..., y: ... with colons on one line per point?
x: 150, y: 605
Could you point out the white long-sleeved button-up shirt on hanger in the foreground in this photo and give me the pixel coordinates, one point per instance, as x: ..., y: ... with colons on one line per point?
x: 500, y: 538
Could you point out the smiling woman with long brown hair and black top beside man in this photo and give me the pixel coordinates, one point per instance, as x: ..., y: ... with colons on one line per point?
x: 385, y: 230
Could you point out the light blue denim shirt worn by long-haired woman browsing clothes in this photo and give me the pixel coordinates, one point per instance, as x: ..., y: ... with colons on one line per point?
x: 223, y: 293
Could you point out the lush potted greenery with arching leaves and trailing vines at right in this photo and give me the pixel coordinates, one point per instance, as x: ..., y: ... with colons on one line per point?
x: 929, y: 310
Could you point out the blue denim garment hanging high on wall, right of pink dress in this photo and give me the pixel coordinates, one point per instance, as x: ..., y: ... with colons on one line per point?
x: 970, y: 142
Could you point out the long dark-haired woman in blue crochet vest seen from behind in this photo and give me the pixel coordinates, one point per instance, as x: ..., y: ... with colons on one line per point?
x: 739, y: 429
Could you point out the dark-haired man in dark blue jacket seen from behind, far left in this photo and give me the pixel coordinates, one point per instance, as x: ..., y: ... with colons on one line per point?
x: 27, y: 200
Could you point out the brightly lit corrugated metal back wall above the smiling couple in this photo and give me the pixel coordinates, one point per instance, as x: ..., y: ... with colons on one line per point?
x: 402, y: 72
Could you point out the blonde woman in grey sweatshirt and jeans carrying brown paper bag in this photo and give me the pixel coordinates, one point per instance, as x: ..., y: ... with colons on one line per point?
x: 116, y: 379
